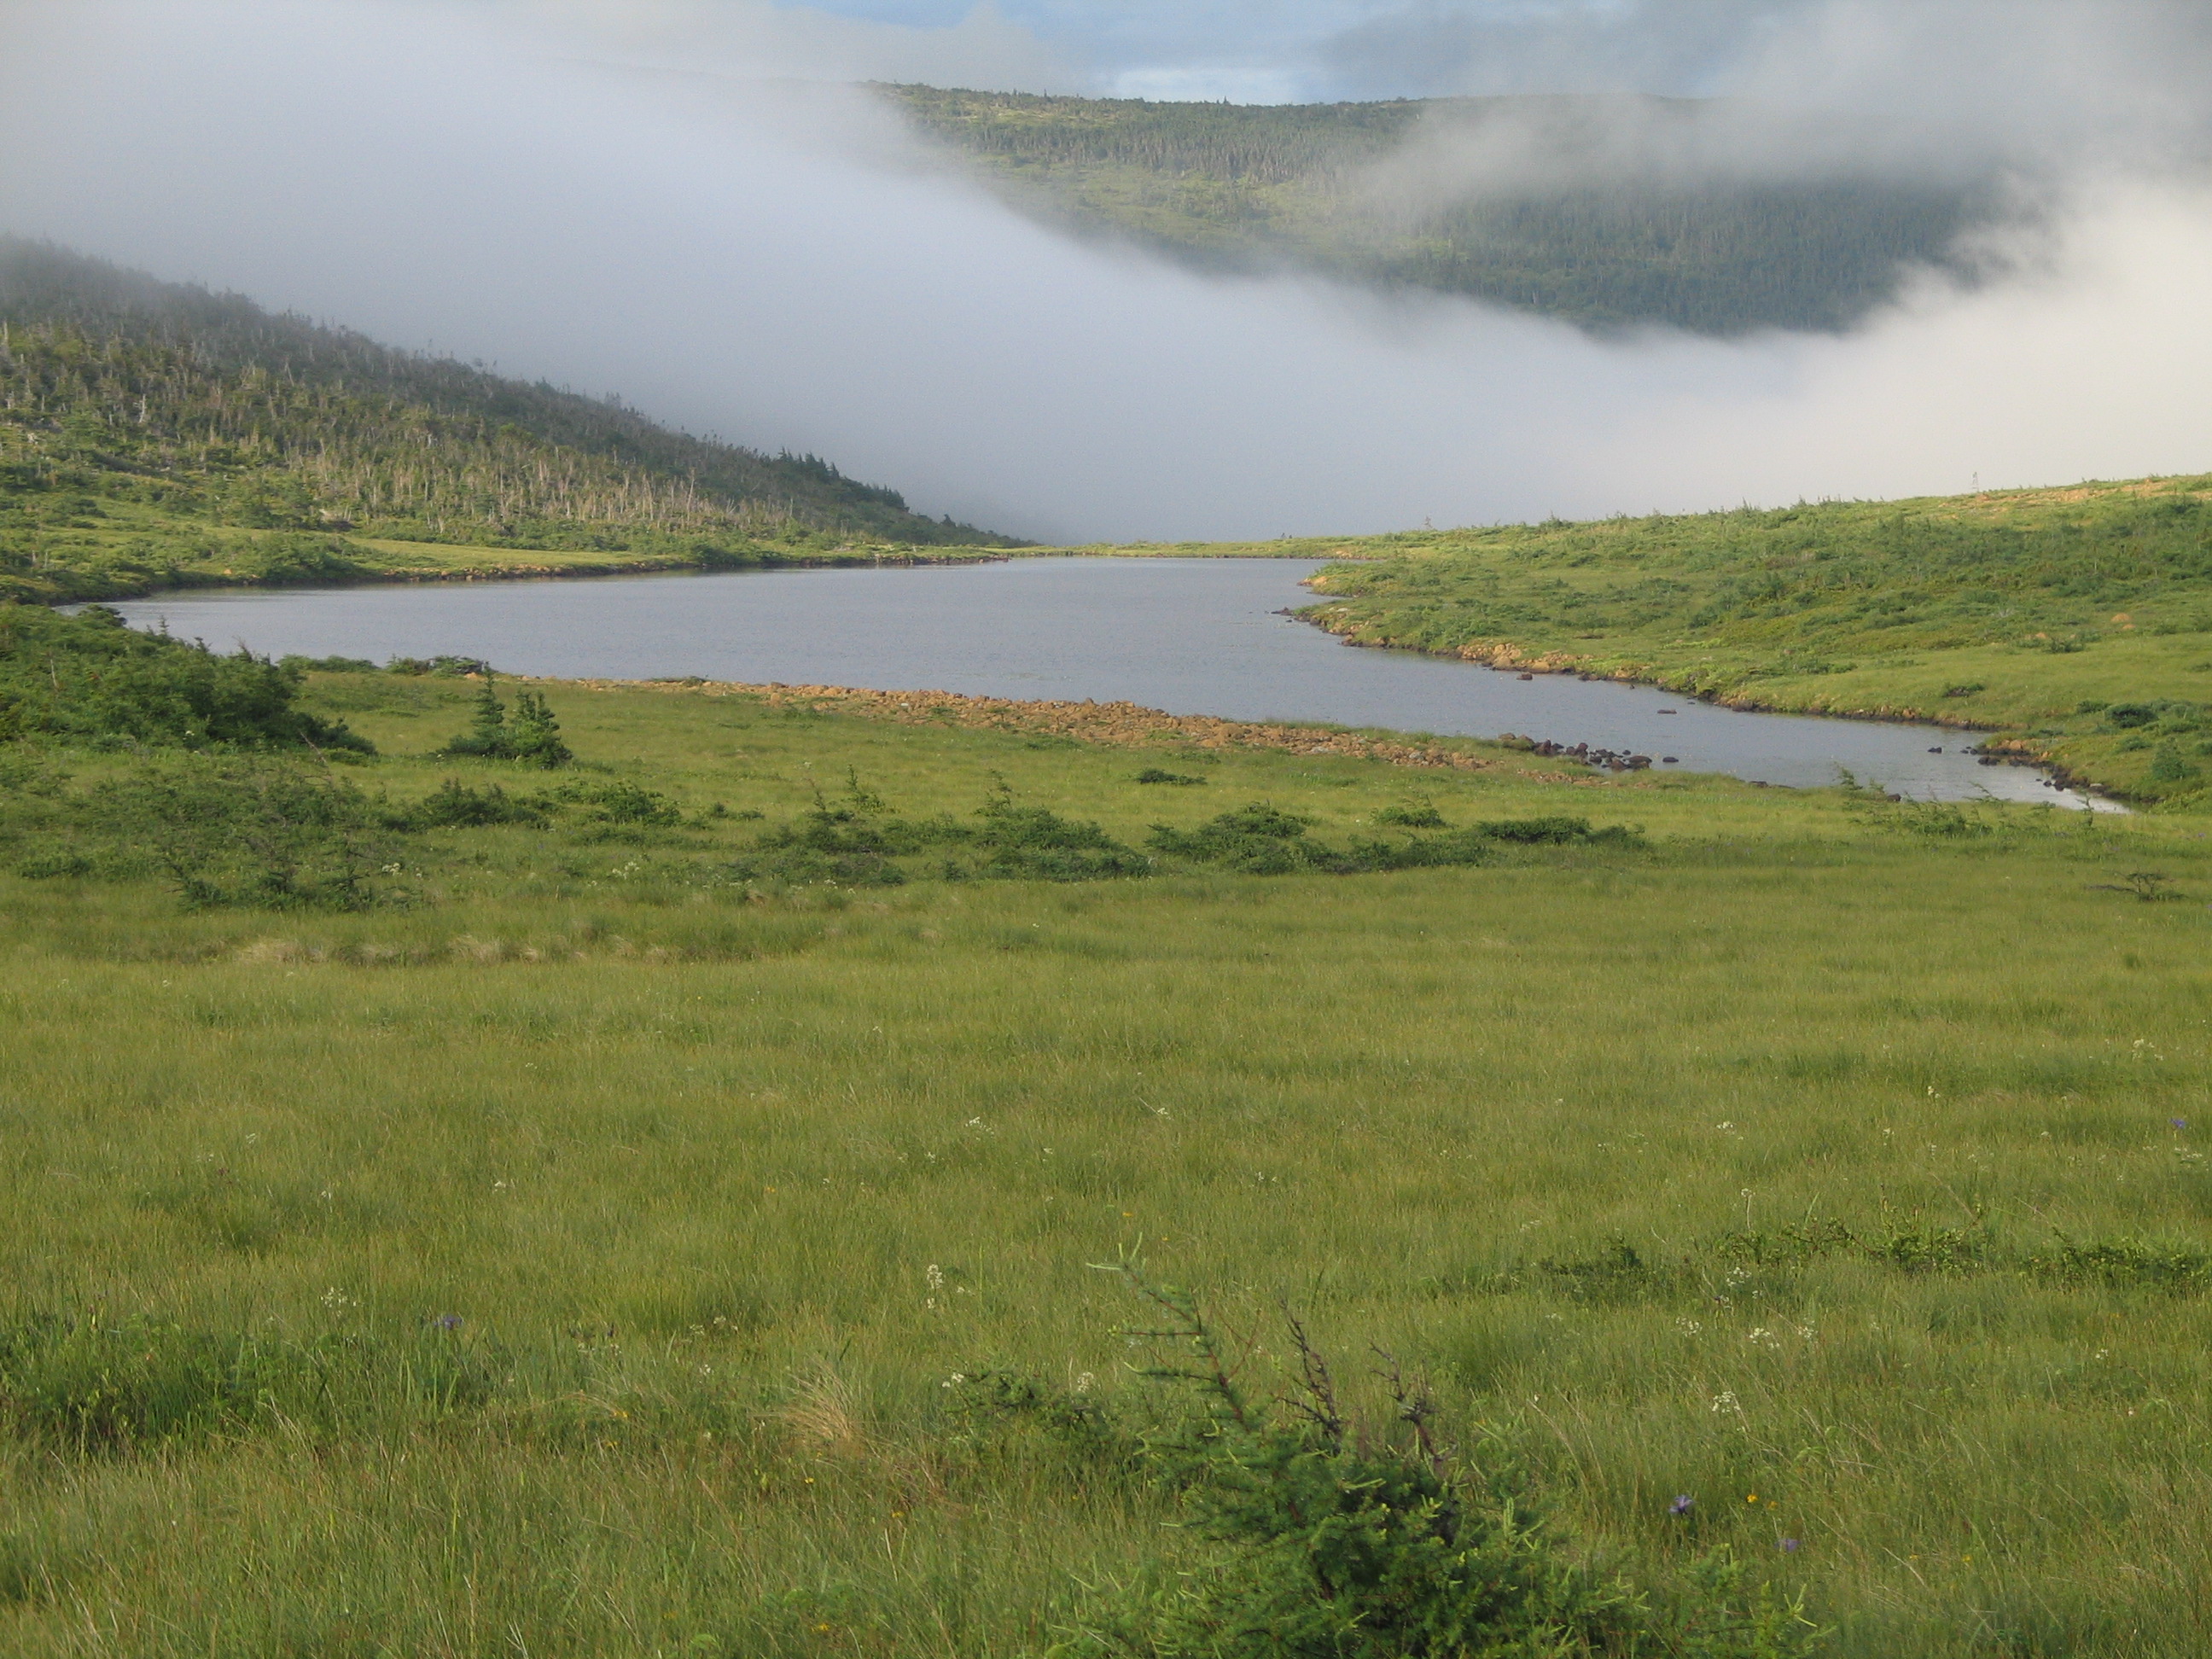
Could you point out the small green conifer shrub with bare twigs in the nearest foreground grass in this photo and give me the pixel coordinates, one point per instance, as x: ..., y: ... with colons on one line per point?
x: 1337, y: 1541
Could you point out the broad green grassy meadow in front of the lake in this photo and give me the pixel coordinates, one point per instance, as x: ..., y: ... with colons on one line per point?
x: 592, y: 1251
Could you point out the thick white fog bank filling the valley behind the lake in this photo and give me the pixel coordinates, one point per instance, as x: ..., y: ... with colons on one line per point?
x: 685, y: 240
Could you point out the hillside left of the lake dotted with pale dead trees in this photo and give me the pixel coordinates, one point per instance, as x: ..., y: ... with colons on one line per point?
x: 154, y: 435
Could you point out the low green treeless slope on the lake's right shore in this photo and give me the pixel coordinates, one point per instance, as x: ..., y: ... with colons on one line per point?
x: 2074, y: 623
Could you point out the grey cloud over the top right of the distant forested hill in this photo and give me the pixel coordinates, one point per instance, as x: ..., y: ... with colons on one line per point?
x: 2016, y: 101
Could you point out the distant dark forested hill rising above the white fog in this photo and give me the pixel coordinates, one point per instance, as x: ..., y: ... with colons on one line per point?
x: 1235, y: 187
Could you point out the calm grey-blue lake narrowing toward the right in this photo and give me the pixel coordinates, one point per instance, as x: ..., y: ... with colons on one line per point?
x: 1187, y: 636
